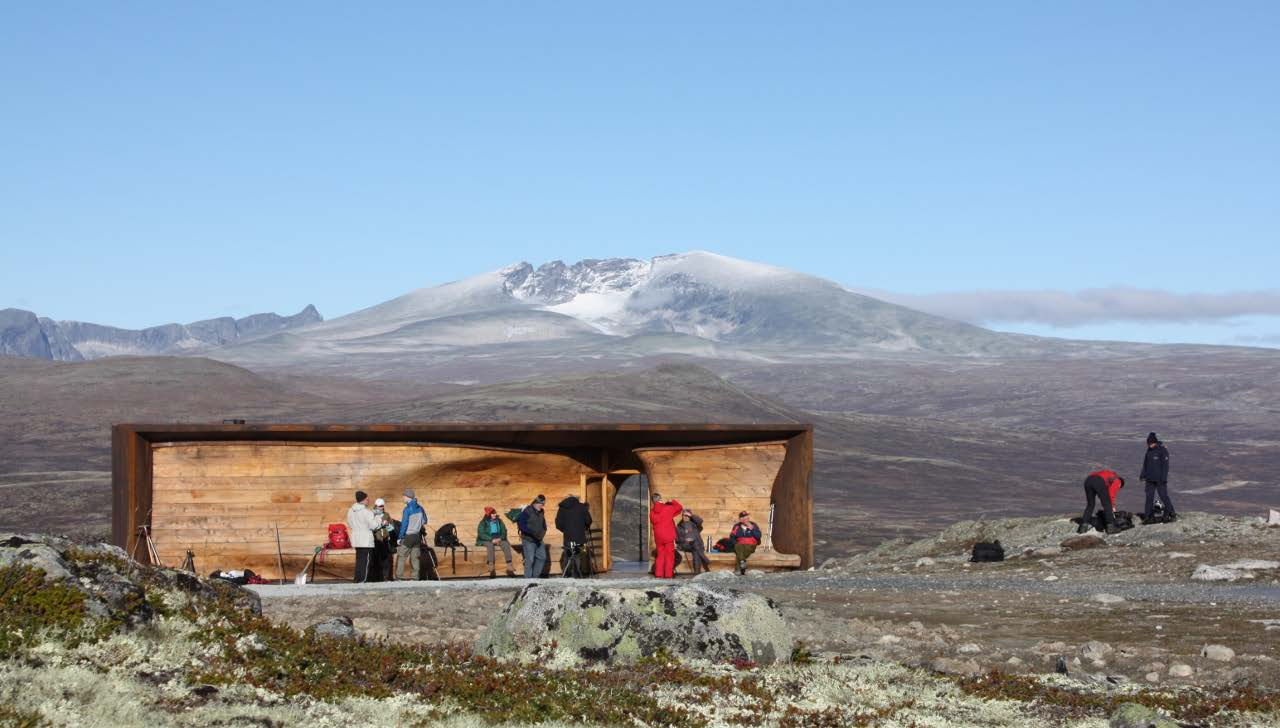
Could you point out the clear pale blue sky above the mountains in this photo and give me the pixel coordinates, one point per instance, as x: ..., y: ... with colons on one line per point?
x: 176, y: 162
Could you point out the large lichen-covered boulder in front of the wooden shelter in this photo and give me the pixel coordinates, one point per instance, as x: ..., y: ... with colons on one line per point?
x: 569, y: 625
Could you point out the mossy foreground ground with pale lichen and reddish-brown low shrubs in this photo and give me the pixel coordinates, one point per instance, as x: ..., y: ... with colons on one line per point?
x: 207, y: 662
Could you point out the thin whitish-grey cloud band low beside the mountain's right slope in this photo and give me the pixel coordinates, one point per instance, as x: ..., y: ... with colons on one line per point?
x: 1067, y: 309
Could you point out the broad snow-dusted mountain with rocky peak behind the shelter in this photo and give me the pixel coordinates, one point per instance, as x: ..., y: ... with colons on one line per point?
x: 694, y: 304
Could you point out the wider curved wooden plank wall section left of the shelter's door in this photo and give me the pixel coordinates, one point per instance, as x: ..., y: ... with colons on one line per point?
x: 223, y: 501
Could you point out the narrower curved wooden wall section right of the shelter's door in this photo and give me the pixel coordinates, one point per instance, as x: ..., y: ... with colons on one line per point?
x: 719, y: 483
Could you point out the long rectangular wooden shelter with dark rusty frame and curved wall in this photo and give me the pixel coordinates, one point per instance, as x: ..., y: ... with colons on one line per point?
x: 230, y: 493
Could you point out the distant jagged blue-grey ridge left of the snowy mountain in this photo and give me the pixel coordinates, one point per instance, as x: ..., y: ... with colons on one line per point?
x: 25, y: 335
